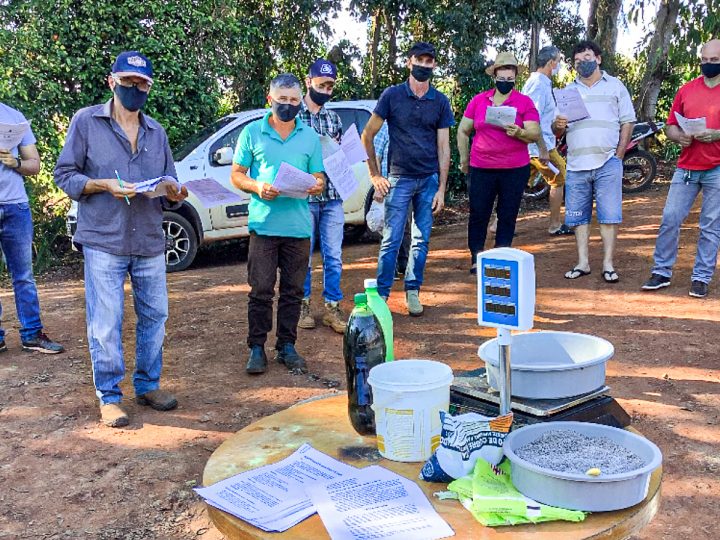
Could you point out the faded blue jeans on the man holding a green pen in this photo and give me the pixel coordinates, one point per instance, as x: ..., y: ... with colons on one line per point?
x: 104, y: 298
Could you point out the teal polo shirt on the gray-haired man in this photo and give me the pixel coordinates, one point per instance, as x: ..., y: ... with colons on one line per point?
x: 262, y: 151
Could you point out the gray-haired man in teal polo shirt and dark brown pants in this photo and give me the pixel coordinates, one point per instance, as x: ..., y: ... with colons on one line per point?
x: 280, y: 226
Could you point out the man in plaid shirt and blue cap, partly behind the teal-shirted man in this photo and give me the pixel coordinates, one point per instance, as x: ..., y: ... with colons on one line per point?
x: 327, y: 208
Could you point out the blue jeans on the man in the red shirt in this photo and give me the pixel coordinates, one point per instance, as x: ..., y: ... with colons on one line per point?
x: 684, y: 189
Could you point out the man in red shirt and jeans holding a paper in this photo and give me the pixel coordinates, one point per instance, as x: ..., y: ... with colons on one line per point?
x: 698, y: 169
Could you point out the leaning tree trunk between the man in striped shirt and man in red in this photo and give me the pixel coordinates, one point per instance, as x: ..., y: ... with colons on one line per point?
x: 657, y: 59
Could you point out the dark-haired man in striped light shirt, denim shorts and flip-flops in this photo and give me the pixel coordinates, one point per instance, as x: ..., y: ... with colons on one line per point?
x: 596, y: 147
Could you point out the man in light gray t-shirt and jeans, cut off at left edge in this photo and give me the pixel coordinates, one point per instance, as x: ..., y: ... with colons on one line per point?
x: 16, y: 233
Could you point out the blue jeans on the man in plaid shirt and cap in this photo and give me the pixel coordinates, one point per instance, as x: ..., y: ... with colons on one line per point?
x: 328, y: 220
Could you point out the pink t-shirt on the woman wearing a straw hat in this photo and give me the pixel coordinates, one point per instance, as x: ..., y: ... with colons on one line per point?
x: 491, y: 146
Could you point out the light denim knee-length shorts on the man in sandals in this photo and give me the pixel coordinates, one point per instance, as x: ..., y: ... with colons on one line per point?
x: 604, y: 185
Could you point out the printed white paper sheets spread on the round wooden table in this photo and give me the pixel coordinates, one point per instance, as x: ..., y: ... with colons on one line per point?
x: 353, y: 503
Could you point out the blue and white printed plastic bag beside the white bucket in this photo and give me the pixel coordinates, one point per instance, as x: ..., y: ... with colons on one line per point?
x: 464, y: 439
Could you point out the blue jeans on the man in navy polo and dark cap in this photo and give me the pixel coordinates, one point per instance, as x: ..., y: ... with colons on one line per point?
x: 405, y: 191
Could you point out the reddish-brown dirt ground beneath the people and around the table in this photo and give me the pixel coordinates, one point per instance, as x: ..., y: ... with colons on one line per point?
x: 62, y: 475
